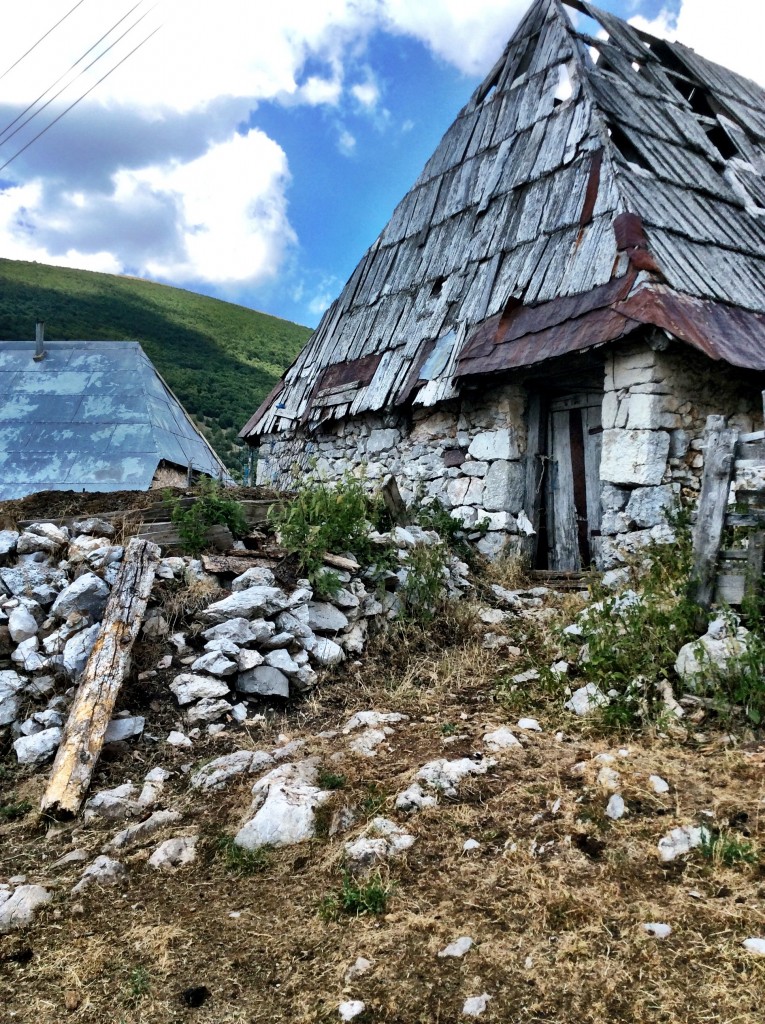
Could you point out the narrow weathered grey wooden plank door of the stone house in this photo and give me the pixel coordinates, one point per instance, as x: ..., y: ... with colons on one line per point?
x: 573, y: 498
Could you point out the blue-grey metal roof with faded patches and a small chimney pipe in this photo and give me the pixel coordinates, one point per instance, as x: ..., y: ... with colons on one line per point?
x: 91, y: 416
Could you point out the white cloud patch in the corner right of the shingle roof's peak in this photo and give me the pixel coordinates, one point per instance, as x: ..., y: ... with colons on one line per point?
x: 731, y: 35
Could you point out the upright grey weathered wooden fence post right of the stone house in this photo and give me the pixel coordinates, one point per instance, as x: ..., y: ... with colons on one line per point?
x: 719, y: 445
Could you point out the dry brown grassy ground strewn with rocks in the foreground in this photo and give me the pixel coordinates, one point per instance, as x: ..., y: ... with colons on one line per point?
x: 556, y: 898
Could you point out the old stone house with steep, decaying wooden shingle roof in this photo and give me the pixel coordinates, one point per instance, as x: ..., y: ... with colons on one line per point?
x: 575, y: 282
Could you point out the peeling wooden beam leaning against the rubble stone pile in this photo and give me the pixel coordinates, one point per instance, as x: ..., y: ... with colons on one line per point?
x: 101, y: 681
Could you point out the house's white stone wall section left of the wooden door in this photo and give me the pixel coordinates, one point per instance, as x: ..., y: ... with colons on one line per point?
x: 470, y: 454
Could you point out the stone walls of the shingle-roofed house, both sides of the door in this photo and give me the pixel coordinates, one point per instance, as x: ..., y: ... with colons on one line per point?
x: 471, y: 454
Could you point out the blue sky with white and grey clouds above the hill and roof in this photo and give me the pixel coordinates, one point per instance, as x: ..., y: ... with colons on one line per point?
x: 253, y: 152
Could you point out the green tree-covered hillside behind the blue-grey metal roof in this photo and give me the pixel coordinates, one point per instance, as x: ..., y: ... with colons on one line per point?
x: 221, y: 360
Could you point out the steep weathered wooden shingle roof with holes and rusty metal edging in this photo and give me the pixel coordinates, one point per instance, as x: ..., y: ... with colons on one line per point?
x: 622, y: 168
